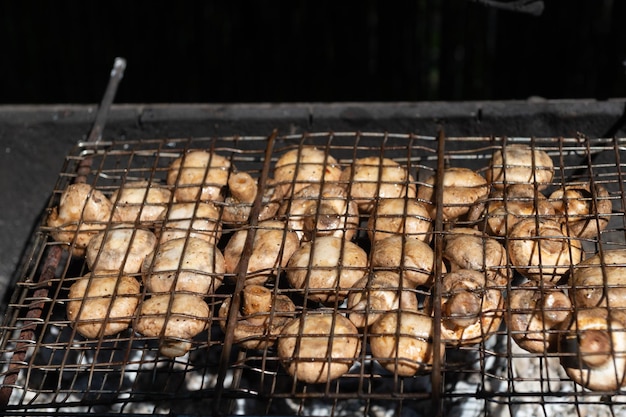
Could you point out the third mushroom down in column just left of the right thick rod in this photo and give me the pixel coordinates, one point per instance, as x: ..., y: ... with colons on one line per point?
x: 412, y: 258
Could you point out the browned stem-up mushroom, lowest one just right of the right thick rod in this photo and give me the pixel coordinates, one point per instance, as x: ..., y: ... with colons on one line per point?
x: 471, y: 310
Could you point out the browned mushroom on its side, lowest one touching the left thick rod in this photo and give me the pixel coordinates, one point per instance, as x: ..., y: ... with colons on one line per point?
x: 261, y: 317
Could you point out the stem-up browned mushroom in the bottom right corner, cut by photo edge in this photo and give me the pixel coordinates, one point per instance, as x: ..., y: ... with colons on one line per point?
x: 593, y: 351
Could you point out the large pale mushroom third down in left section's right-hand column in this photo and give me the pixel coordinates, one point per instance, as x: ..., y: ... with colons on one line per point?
x: 192, y: 265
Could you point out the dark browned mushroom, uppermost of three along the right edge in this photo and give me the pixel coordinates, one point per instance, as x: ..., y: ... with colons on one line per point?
x: 585, y: 213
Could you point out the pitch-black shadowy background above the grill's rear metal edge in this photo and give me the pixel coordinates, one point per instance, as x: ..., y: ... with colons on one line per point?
x: 286, y: 51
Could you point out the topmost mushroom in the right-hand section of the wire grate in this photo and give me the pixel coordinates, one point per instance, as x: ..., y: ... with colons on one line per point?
x: 519, y: 163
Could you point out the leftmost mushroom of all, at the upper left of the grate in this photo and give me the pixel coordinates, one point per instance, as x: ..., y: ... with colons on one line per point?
x: 82, y: 212
